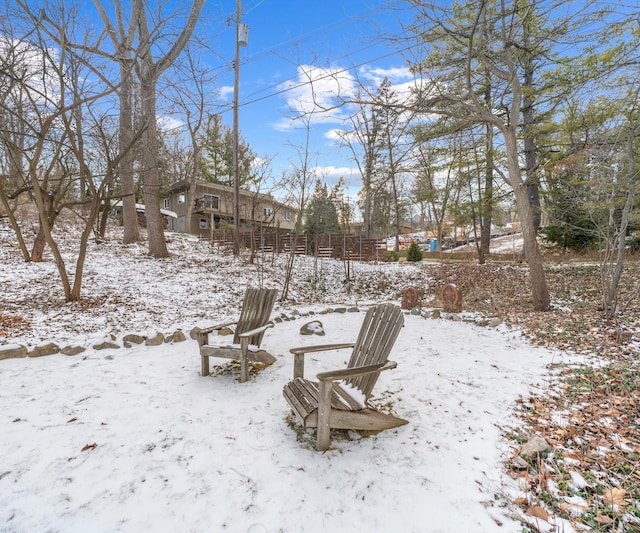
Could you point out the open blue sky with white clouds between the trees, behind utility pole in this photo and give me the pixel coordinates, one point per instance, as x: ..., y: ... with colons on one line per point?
x: 319, y: 36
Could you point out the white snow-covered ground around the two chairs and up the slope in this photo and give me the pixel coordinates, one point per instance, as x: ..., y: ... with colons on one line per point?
x: 134, y: 439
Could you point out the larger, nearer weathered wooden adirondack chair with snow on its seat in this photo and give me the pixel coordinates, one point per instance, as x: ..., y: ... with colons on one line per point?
x: 325, y: 404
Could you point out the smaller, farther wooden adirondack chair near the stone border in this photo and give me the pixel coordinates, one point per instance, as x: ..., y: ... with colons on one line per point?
x: 250, y: 328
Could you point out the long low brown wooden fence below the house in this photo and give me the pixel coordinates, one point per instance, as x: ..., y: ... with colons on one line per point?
x: 336, y: 246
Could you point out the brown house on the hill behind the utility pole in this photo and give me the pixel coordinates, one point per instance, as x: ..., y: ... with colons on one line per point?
x: 212, y: 207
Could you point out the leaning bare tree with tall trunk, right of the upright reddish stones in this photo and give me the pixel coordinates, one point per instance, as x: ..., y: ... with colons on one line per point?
x: 458, y: 95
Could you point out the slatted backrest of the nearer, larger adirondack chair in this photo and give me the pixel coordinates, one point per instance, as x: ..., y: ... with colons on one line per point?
x: 378, y: 333
